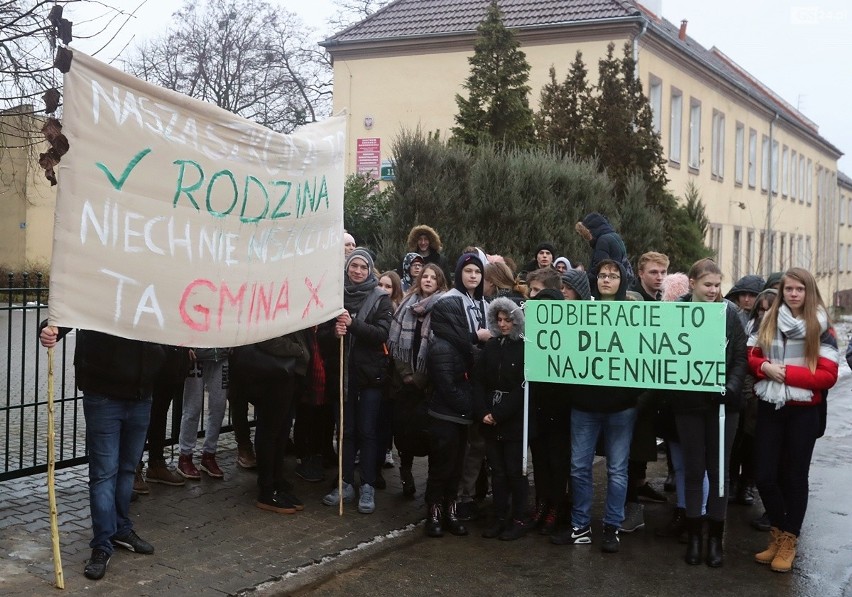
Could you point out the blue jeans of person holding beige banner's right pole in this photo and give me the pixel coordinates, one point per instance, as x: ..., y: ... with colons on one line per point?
x: 360, y: 425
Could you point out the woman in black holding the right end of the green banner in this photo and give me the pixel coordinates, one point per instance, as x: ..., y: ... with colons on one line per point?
x: 698, y: 420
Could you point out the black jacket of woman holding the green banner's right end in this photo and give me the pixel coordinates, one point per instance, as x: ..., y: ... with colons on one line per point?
x: 736, y: 366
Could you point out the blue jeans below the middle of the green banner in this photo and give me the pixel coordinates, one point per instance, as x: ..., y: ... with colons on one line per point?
x: 618, y: 432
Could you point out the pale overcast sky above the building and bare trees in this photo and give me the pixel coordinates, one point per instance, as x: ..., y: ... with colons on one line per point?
x: 801, y: 49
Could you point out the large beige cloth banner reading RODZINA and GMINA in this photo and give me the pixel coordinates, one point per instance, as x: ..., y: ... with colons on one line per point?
x: 181, y: 223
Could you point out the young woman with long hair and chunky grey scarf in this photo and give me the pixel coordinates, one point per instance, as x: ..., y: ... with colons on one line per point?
x: 408, y: 343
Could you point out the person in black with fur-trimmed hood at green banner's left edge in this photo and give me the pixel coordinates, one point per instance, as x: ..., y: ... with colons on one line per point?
x: 498, y: 403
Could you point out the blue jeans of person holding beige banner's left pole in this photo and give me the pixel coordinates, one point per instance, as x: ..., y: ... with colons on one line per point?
x: 115, y: 437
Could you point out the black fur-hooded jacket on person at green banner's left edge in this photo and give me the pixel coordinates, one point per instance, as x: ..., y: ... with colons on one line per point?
x: 500, y: 368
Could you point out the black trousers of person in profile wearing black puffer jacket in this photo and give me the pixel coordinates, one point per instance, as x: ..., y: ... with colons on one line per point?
x: 447, y: 446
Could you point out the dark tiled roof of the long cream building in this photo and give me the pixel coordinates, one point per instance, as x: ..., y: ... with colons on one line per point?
x: 412, y: 19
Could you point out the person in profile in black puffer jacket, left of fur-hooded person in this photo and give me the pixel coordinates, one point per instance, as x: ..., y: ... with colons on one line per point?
x: 450, y: 364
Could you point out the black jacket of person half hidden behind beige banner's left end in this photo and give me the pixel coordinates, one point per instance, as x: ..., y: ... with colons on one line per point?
x: 115, y: 367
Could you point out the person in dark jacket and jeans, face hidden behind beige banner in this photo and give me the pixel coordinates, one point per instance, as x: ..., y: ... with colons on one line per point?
x: 116, y: 377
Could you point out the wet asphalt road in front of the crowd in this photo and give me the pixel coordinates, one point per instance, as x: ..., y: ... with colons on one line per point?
x: 646, y: 565
